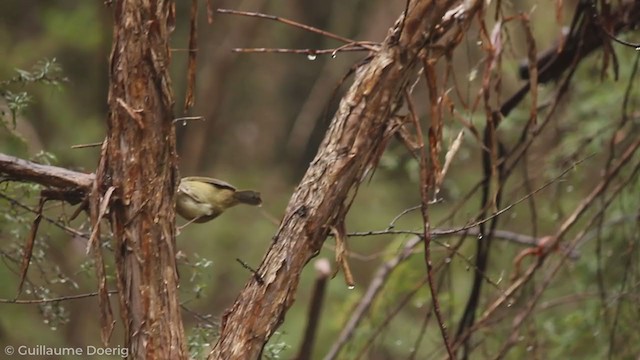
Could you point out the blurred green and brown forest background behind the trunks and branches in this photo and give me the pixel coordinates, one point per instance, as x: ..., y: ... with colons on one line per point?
x: 265, y: 115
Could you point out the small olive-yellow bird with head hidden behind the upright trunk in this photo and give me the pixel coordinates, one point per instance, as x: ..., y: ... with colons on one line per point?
x: 201, y: 199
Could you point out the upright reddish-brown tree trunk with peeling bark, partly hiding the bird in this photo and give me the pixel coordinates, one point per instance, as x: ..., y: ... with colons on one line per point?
x: 139, y: 162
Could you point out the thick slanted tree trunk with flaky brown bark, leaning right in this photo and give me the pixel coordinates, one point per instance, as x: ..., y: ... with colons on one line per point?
x: 352, y: 146
